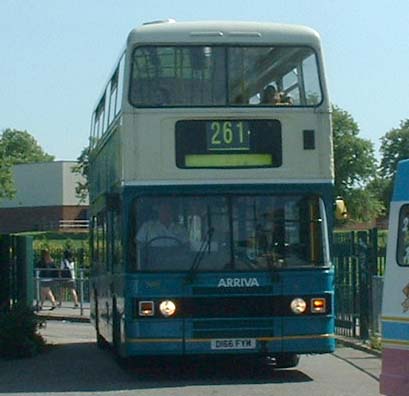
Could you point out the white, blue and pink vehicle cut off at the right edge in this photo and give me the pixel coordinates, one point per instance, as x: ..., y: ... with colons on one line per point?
x: 394, y: 380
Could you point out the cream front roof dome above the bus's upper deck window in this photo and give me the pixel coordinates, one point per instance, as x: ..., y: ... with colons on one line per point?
x: 223, y: 32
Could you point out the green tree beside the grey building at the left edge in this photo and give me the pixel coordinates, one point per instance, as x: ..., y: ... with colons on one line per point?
x: 17, y: 147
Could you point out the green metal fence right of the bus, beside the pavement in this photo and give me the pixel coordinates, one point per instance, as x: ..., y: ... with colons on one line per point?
x: 359, y: 259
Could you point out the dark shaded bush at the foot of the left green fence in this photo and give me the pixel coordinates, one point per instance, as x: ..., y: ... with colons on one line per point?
x: 19, y: 335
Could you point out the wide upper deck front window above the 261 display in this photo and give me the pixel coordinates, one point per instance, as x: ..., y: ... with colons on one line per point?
x: 164, y: 76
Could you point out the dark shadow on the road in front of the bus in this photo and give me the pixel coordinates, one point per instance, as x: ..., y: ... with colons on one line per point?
x: 84, y: 367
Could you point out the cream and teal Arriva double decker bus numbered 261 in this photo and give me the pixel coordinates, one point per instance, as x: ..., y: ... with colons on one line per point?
x: 225, y: 126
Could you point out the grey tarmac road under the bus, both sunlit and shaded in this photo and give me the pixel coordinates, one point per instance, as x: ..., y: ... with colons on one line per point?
x: 74, y: 365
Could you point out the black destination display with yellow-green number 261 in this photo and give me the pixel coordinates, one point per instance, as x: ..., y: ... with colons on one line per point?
x: 228, y: 143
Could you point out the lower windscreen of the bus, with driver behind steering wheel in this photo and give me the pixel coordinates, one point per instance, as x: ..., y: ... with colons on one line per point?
x: 238, y: 233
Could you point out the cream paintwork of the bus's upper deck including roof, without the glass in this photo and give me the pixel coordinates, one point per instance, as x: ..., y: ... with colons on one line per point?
x: 146, y: 136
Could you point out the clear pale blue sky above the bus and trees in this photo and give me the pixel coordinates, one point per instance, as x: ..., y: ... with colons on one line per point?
x: 57, y: 54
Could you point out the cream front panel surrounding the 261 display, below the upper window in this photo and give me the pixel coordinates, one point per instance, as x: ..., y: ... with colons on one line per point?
x: 151, y: 156
